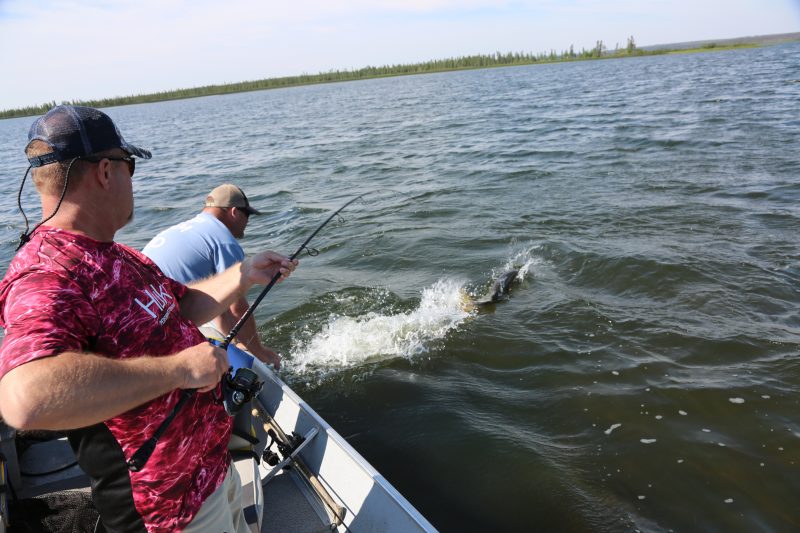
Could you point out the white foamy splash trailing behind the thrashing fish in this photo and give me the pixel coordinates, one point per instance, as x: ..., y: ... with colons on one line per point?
x: 349, y: 341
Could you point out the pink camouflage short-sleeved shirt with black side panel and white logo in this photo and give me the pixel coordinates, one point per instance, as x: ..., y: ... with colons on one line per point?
x: 67, y: 292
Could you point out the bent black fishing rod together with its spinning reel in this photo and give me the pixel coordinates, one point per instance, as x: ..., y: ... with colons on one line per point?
x: 240, y: 388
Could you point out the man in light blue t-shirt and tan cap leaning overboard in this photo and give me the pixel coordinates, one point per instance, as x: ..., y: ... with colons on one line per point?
x: 205, y: 245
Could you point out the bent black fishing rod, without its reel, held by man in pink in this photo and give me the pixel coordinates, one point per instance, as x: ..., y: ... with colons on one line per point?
x: 140, y: 457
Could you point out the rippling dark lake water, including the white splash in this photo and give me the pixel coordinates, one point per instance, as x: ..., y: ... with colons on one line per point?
x: 643, y: 375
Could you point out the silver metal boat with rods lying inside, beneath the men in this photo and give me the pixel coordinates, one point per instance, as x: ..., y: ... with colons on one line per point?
x: 297, y: 475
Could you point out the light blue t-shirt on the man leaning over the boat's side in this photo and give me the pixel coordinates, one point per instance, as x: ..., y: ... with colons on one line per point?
x: 195, y: 249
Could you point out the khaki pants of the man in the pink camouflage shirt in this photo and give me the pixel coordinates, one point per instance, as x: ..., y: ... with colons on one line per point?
x: 222, y: 511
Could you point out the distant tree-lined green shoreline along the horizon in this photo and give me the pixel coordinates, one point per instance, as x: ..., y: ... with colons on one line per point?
x: 600, y: 51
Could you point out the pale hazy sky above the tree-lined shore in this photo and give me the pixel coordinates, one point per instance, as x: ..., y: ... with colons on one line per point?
x: 57, y: 50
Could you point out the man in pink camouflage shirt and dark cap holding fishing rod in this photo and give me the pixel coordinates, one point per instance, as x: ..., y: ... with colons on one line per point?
x: 100, y: 343
